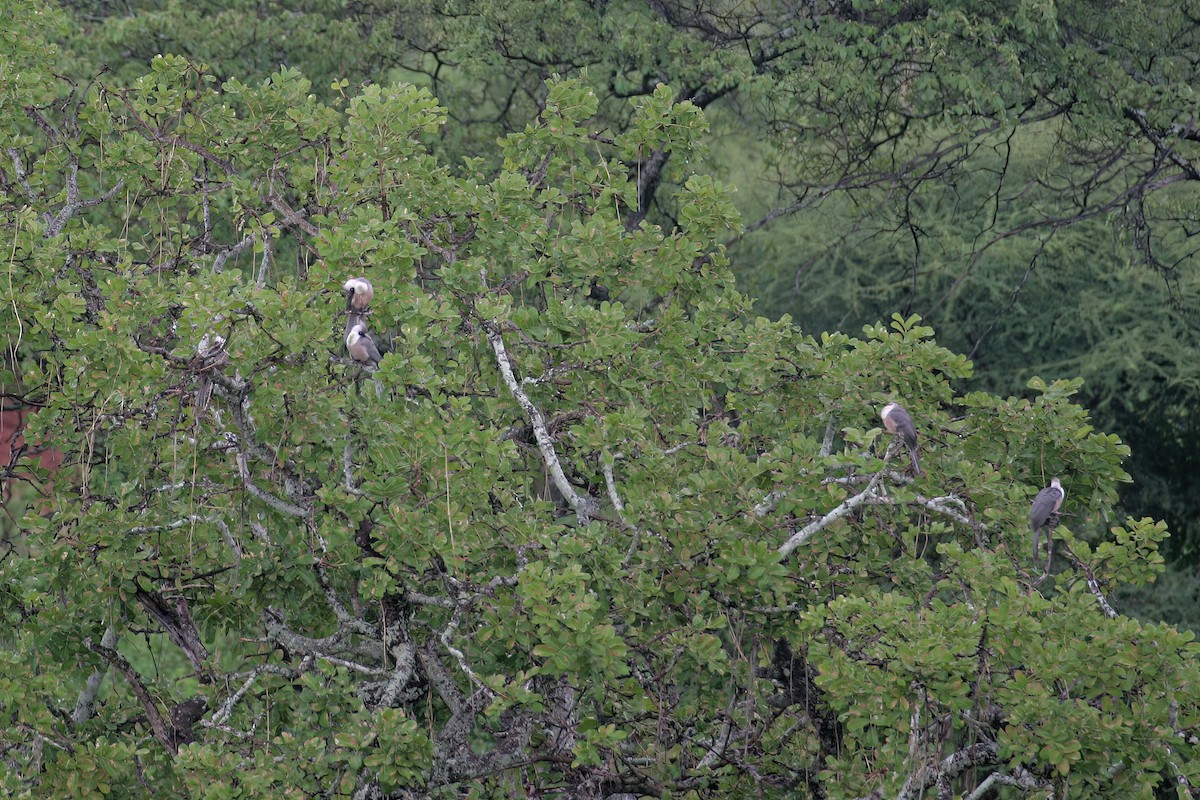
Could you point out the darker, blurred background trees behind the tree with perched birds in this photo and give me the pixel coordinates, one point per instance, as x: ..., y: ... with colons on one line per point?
x: 1019, y: 173
